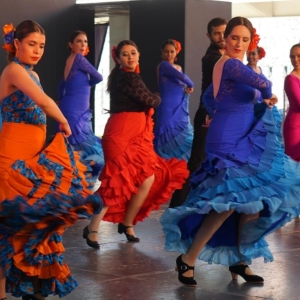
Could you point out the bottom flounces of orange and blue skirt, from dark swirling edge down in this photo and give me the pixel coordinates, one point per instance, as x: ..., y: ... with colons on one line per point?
x: 32, y: 243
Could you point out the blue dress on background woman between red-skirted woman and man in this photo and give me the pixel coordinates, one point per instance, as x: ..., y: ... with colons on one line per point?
x: 173, y: 130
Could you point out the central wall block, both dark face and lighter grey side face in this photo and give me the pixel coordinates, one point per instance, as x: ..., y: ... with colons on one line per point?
x: 152, y: 22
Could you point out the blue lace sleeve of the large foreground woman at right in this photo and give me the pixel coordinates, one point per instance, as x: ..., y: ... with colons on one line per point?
x: 240, y: 73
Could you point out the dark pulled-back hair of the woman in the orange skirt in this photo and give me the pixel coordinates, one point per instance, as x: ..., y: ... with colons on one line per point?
x: 22, y: 31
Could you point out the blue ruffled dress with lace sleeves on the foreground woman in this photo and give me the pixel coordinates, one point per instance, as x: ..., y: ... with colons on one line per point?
x: 245, y: 170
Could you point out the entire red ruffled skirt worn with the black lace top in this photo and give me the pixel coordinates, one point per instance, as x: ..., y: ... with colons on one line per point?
x: 129, y: 160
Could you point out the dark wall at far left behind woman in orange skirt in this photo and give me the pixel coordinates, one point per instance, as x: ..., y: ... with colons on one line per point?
x: 59, y: 18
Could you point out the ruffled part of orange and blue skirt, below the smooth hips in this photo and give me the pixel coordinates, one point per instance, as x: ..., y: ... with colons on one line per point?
x: 39, y: 198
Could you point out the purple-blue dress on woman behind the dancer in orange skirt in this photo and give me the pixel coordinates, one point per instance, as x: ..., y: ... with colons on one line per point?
x: 74, y: 102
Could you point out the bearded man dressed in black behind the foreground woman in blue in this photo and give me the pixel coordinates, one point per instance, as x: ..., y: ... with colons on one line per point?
x: 215, y: 32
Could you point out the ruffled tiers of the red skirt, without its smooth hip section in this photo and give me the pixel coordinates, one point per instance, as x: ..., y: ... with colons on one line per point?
x: 123, y: 174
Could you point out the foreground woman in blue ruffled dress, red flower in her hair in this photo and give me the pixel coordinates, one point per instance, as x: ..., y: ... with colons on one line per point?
x: 246, y: 187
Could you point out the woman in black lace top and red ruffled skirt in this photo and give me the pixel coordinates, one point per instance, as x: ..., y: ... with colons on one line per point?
x: 134, y: 180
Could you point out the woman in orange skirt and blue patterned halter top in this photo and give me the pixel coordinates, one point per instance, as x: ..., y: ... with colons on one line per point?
x: 43, y: 190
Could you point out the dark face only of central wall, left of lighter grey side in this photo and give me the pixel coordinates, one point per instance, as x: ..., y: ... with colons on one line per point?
x: 151, y: 23
